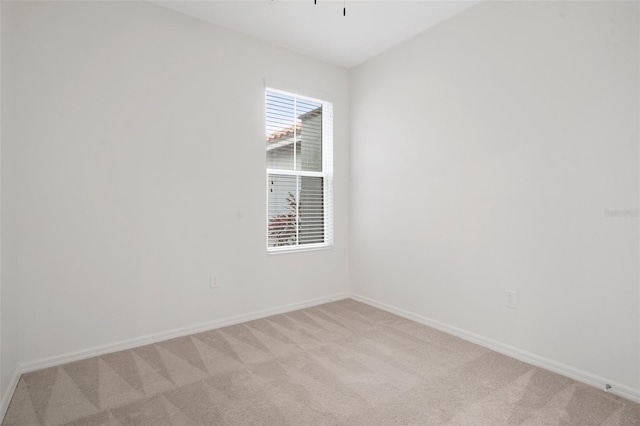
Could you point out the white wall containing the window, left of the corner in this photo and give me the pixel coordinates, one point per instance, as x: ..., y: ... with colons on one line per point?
x: 138, y: 168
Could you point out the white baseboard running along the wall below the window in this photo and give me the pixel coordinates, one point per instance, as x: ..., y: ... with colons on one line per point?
x: 170, y: 334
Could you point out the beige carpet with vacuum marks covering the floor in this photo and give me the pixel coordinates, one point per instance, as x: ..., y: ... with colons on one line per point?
x: 340, y: 363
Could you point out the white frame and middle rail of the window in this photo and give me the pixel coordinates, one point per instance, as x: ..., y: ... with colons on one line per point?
x: 326, y: 174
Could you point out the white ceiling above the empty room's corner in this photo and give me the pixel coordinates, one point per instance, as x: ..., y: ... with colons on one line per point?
x: 321, y: 31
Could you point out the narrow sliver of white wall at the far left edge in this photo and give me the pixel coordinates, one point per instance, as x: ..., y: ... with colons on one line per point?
x: 8, y: 286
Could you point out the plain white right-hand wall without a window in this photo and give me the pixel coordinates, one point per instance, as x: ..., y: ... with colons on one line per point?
x: 484, y: 153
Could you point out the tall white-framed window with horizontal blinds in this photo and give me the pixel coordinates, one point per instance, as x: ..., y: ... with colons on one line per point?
x: 299, y: 150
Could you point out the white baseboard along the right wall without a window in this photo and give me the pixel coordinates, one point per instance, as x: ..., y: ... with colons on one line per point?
x: 528, y: 357
